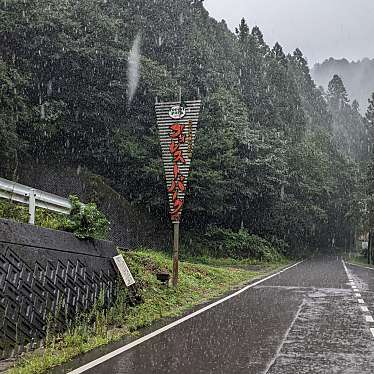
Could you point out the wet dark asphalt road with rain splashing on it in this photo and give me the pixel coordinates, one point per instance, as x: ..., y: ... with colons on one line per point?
x: 305, y: 320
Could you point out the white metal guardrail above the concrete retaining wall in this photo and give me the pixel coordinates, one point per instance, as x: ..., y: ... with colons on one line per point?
x: 33, y: 198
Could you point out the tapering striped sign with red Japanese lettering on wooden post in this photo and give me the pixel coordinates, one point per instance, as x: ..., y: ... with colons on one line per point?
x: 177, y: 125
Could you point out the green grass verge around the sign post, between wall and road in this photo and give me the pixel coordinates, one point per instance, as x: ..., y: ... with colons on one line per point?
x: 198, y: 283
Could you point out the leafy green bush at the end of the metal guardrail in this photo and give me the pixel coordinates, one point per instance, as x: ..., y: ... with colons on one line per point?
x: 86, y: 221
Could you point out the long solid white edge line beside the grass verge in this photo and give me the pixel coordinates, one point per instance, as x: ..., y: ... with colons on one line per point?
x: 143, y: 339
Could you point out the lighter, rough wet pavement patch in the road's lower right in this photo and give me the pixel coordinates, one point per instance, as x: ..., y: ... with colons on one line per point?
x: 329, y: 335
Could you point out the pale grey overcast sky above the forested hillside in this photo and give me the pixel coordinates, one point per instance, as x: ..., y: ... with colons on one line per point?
x: 320, y: 28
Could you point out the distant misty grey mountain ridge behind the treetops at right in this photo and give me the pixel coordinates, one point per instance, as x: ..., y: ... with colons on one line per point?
x: 358, y: 77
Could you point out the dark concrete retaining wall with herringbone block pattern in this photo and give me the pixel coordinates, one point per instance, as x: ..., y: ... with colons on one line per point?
x: 47, y: 274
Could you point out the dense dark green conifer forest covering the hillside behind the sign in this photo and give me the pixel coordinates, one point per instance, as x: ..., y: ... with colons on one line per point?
x: 275, y: 155
